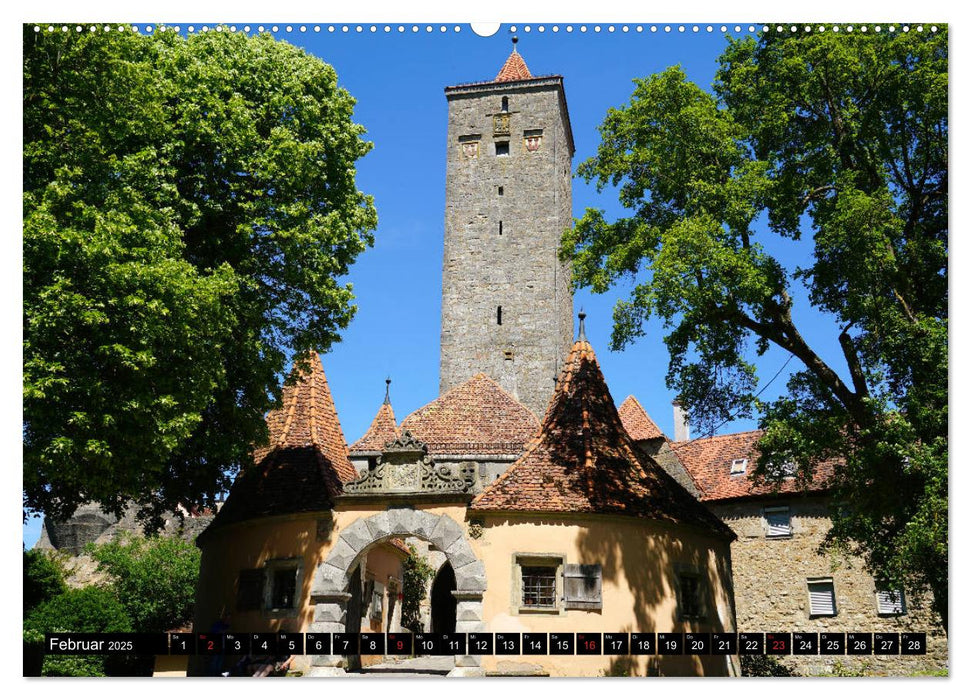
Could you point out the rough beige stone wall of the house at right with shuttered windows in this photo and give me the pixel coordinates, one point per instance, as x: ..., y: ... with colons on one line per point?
x: 771, y: 593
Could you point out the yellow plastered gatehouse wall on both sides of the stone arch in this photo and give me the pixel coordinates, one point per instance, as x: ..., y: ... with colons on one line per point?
x: 639, y: 558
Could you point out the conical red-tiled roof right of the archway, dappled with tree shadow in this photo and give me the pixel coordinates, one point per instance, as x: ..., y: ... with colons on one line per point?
x: 583, y: 460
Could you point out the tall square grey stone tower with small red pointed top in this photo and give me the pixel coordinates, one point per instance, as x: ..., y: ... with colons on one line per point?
x: 507, y: 308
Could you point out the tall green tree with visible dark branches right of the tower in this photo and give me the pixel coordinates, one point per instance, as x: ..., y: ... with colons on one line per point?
x: 841, y: 139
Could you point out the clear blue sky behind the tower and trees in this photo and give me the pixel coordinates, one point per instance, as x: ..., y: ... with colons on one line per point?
x: 398, y: 79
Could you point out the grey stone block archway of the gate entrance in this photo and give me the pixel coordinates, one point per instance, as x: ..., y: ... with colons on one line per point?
x: 329, y: 590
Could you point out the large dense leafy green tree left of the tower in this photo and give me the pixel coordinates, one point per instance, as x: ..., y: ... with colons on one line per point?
x: 189, y: 209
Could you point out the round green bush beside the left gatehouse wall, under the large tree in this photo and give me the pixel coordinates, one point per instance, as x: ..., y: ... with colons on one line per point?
x: 154, y: 579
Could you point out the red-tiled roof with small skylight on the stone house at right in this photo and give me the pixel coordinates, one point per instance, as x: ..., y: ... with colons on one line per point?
x: 709, y: 462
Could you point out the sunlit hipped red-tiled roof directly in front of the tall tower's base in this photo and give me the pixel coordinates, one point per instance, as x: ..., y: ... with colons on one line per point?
x: 477, y: 417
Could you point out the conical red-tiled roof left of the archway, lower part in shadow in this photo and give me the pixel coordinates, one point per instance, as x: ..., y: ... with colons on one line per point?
x: 306, y: 462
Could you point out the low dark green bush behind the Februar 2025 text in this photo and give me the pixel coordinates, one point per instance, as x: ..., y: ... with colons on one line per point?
x: 88, y: 609
